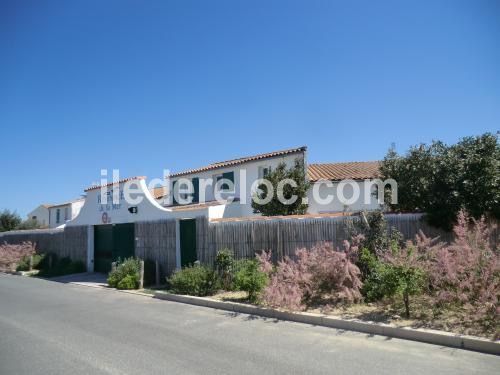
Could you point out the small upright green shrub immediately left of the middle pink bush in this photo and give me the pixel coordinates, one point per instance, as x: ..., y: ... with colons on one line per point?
x: 250, y: 278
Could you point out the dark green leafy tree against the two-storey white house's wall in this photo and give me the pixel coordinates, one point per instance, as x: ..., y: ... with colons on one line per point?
x: 274, y: 207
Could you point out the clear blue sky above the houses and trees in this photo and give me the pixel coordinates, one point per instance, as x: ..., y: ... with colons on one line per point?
x: 147, y: 85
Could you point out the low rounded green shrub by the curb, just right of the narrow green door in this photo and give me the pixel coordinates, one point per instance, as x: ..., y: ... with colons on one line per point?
x: 195, y: 280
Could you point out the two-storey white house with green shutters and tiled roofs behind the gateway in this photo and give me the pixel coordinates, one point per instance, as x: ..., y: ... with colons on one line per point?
x: 328, y: 194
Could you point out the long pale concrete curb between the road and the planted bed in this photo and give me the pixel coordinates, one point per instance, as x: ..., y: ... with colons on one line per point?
x: 414, y: 334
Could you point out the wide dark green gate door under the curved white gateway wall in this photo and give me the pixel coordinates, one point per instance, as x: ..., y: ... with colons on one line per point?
x: 112, y: 242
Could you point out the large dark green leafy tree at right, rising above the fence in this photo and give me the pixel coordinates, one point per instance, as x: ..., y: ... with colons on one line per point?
x: 440, y: 180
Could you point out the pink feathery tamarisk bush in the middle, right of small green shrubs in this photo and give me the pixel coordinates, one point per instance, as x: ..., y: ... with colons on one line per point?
x: 319, y: 274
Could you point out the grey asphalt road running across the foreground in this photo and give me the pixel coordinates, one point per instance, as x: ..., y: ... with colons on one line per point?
x: 54, y: 328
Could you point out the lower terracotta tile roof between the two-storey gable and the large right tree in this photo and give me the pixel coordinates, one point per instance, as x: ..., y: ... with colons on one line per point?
x: 358, y: 170
